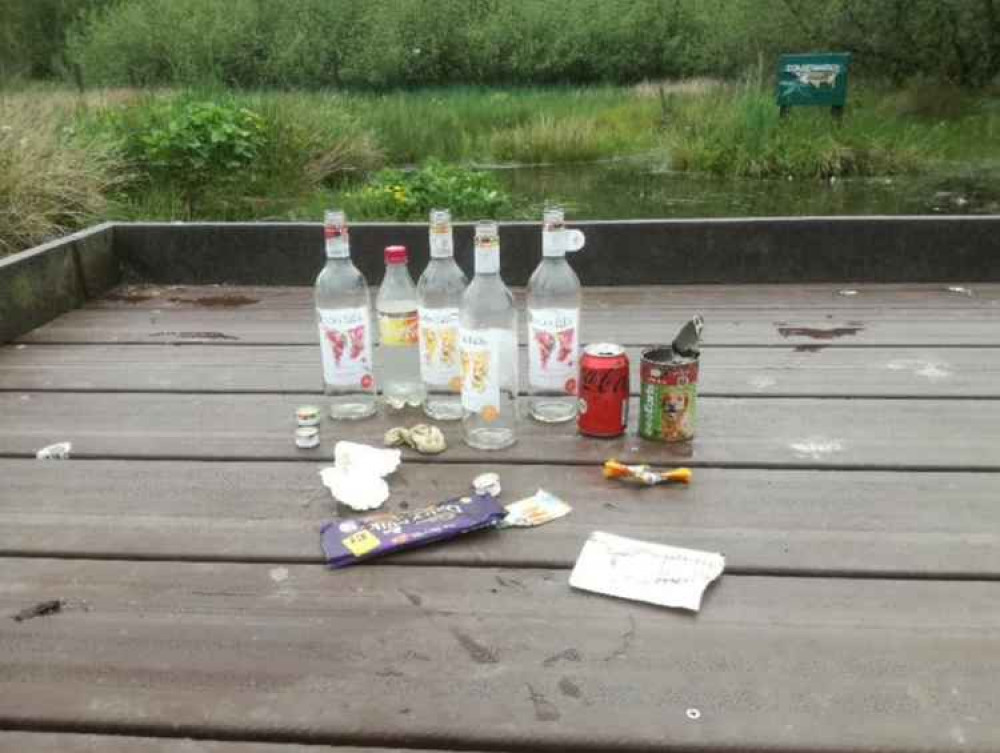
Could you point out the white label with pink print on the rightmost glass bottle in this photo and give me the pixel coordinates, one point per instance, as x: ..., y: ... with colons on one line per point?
x: 552, y: 349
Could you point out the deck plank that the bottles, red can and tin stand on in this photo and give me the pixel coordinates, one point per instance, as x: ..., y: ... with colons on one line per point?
x: 771, y: 432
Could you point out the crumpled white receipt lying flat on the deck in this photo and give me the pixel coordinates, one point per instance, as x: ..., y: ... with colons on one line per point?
x: 665, y: 575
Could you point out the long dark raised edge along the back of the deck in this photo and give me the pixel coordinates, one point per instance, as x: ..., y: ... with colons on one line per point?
x: 768, y: 250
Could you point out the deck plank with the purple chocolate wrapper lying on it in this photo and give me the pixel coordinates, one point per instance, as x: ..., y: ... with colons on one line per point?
x: 792, y: 522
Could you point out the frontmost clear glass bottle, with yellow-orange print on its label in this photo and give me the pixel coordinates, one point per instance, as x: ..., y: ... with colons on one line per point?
x: 488, y: 350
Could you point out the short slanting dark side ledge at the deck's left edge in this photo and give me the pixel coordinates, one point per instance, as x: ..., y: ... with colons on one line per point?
x: 41, y: 283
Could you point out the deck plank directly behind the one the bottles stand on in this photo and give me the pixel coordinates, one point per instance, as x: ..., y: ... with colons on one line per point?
x: 807, y: 371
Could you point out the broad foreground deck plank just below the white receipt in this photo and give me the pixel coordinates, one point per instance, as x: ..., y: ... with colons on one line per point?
x: 506, y: 658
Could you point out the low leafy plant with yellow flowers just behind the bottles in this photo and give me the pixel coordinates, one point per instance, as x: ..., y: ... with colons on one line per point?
x: 411, y: 194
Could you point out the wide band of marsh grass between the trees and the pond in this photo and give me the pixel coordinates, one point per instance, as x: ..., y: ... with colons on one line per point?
x: 68, y: 159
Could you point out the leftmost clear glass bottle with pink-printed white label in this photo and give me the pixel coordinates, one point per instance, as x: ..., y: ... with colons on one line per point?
x: 343, y: 315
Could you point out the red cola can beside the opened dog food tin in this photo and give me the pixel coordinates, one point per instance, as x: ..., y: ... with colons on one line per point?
x: 603, y: 391
